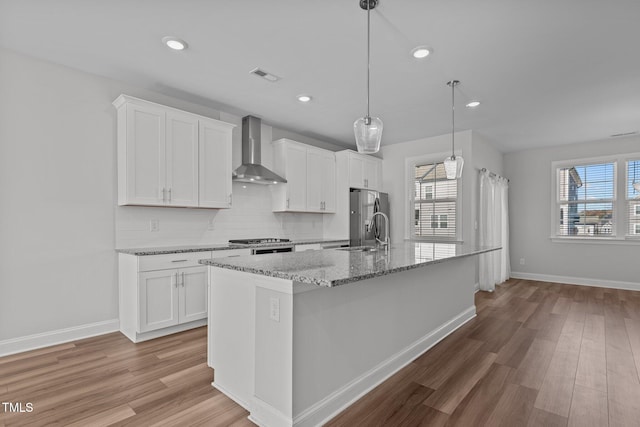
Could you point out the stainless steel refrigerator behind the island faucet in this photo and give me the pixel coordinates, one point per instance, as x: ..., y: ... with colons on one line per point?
x: 363, y: 203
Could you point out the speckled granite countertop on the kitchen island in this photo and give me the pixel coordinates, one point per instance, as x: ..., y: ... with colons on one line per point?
x: 336, y: 267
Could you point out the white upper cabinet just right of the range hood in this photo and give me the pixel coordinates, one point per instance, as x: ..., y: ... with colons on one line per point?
x: 311, y: 178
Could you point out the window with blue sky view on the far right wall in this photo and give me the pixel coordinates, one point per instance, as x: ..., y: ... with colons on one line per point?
x: 586, y: 202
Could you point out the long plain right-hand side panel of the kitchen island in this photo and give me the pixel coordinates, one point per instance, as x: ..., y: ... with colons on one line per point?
x: 349, y: 338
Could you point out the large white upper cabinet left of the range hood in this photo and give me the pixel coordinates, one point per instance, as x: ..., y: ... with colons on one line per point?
x: 166, y: 156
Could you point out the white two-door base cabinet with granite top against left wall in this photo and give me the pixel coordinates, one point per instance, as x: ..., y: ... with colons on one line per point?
x: 163, y: 294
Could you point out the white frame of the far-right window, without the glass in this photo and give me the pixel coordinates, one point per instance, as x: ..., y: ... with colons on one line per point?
x: 621, y: 213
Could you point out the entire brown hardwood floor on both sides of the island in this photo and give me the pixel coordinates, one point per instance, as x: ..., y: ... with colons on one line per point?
x: 537, y: 354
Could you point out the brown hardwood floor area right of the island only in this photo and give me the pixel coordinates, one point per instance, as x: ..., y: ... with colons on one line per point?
x: 537, y: 354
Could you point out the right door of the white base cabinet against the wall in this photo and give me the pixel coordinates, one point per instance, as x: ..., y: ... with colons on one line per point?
x: 193, y: 294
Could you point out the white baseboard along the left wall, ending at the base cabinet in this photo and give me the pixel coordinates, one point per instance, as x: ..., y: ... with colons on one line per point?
x: 60, y: 336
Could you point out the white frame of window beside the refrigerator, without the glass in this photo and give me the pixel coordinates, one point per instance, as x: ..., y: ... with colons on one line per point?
x: 409, y: 217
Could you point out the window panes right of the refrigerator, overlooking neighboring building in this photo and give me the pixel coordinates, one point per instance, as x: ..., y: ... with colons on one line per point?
x: 434, y: 203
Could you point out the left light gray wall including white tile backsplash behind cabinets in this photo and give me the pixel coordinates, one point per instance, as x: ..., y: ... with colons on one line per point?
x: 59, y: 223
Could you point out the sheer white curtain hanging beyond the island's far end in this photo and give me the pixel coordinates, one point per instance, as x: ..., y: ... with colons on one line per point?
x: 495, y: 266
